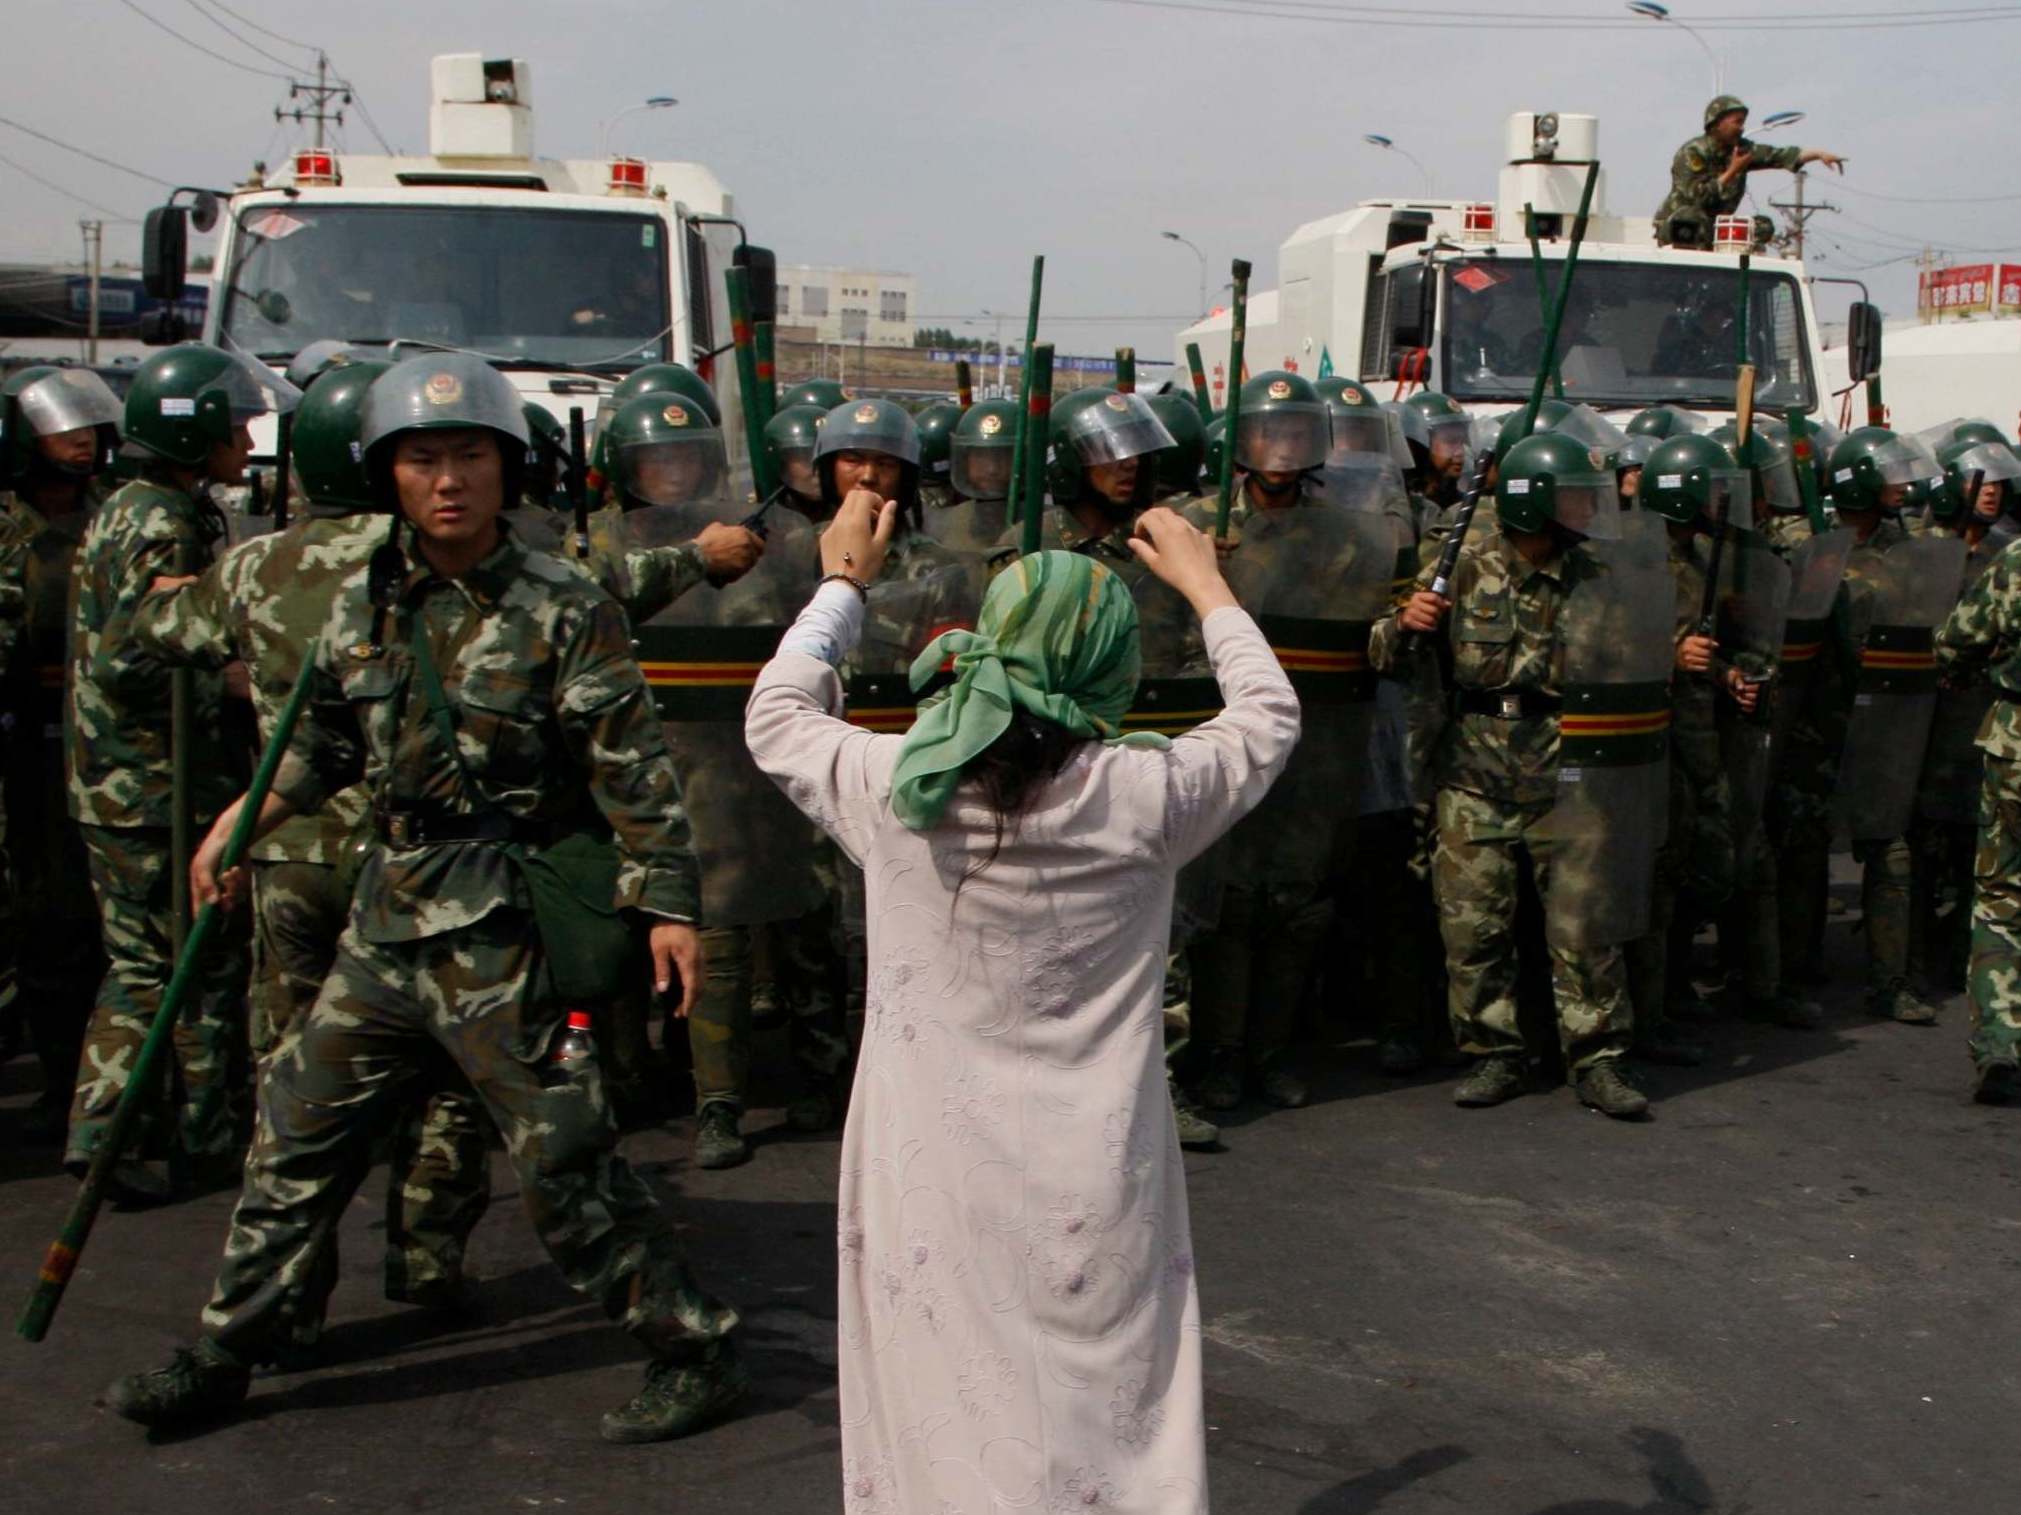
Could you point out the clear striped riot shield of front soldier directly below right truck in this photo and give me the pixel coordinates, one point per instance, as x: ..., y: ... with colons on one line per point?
x: 1612, y: 813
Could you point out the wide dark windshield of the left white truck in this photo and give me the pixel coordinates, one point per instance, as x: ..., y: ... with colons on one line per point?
x: 551, y: 288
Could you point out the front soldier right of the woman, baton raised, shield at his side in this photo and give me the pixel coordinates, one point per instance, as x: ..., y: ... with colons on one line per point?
x: 1497, y: 773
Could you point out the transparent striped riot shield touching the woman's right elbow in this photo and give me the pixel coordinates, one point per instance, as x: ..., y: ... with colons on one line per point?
x: 1317, y: 579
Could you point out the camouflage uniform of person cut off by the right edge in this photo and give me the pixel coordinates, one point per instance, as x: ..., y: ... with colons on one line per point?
x: 1984, y: 639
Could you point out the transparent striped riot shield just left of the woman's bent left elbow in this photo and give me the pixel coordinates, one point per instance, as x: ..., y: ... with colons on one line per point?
x: 702, y: 655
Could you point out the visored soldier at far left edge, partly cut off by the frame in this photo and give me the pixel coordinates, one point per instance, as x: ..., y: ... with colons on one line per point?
x: 60, y: 431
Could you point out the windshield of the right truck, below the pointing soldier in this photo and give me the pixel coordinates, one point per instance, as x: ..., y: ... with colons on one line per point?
x: 1634, y: 334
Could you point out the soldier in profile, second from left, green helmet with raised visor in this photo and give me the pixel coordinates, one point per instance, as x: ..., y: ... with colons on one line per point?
x: 189, y: 413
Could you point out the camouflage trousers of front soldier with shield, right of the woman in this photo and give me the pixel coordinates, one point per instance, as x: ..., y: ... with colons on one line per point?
x: 1476, y: 874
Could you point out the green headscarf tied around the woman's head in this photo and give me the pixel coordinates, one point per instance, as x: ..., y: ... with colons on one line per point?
x: 1058, y: 639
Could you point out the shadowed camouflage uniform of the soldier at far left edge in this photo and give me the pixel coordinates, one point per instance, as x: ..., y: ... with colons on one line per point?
x: 54, y: 912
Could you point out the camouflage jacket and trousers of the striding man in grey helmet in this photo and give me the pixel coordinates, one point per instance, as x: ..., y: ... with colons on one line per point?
x: 442, y: 952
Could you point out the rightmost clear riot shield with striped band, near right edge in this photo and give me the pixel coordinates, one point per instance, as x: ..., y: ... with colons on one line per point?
x: 1899, y: 601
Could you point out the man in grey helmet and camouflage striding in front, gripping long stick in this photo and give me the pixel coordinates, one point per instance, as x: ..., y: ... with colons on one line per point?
x: 549, y: 734
